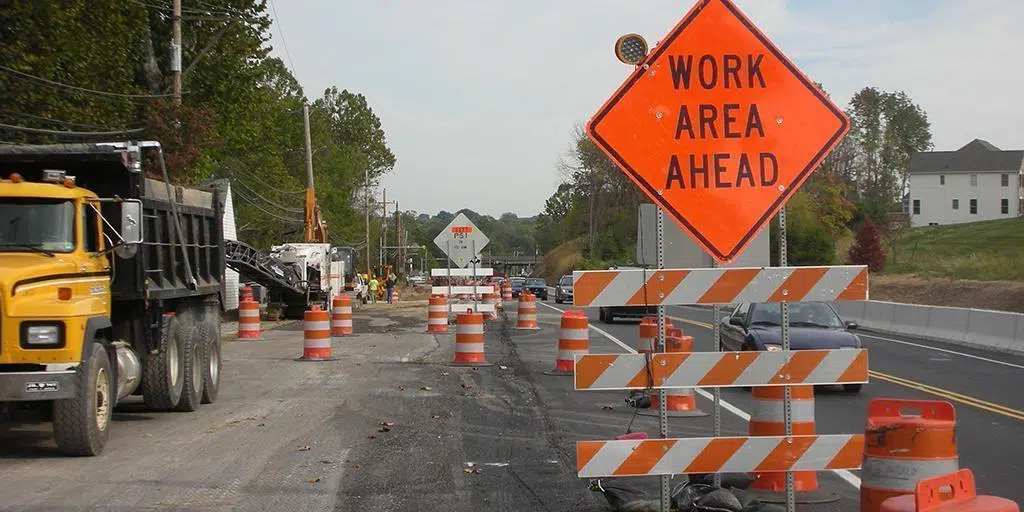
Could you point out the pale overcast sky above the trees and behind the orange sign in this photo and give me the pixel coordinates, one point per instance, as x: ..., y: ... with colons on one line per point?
x: 480, y: 98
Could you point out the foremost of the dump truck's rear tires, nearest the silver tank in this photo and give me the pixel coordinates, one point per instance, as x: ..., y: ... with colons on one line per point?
x: 163, y: 377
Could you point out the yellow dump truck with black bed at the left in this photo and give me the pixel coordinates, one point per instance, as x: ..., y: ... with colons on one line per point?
x: 111, y: 285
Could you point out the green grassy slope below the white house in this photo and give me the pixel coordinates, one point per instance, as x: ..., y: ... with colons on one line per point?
x: 992, y: 250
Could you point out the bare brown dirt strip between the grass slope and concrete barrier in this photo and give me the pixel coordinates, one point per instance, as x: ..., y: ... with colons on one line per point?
x: 999, y: 295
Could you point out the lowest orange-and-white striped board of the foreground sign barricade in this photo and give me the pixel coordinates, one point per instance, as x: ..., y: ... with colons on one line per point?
x: 715, y: 455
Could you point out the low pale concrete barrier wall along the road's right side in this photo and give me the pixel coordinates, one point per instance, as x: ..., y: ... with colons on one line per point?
x: 999, y: 331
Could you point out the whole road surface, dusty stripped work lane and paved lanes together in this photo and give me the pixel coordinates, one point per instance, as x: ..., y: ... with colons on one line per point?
x: 392, y: 426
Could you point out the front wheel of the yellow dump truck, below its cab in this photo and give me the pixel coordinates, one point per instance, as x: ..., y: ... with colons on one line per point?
x: 81, y: 425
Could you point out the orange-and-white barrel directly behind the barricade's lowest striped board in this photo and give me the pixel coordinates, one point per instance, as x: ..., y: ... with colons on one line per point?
x: 769, y: 418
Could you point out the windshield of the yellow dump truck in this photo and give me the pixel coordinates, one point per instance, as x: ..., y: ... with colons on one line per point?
x: 37, y: 225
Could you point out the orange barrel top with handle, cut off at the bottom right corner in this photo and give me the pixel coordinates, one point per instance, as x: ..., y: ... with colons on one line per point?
x: 953, y: 493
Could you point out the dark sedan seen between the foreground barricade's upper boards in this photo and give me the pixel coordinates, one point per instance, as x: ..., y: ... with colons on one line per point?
x: 813, y: 326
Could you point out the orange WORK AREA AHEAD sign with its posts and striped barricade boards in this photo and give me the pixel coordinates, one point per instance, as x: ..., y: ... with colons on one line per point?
x: 719, y: 129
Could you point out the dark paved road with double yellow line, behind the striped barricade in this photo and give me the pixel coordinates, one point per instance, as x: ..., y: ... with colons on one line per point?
x: 985, y: 388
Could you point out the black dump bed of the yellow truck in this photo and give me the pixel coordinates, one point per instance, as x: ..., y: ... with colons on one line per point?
x: 158, y: 271
